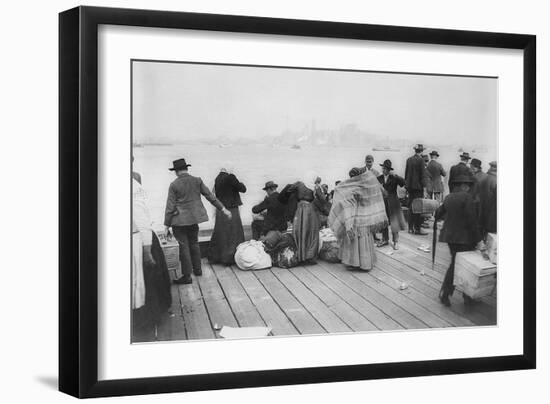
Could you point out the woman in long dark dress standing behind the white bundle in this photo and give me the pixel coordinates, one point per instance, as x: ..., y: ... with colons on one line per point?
x: 228, y: 233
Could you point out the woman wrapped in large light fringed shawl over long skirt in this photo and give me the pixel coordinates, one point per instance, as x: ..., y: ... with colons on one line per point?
x: 357, y: 211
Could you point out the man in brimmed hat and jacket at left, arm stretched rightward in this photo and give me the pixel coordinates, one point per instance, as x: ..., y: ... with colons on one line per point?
x: 184, y: 211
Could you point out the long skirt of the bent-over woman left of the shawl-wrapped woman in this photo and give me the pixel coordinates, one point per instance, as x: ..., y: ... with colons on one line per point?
x: 305, y: 230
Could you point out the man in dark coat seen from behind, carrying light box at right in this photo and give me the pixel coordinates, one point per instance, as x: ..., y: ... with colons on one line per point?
x: 460, y: 228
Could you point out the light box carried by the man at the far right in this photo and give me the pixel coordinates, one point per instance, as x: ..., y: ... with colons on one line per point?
x: 474, y: 275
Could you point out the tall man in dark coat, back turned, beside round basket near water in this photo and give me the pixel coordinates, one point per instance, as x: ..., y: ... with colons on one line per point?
x: 416, y: 179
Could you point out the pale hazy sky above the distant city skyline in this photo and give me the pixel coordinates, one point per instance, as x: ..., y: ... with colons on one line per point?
x: 178, y: 102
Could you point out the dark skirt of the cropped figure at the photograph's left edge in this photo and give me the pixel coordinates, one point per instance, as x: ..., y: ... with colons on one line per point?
x: 158, y: 297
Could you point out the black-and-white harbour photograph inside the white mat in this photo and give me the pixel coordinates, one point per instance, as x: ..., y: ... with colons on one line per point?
x: 274, y: 201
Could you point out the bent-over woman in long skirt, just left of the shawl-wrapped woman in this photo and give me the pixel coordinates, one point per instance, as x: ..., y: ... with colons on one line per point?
x: 306, y: 224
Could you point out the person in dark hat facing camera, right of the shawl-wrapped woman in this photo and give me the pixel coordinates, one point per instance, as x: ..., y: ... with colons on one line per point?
x: 390, y: 182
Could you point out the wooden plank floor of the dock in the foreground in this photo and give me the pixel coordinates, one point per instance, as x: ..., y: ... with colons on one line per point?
x: 401, y: 292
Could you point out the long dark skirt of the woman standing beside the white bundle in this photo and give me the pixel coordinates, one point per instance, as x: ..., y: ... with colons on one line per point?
x: 227, y: 235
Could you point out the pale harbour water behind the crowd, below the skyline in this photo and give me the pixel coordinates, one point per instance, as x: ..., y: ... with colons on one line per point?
x: 257, y: 164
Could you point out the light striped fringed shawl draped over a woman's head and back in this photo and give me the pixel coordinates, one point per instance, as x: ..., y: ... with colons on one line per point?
x: 358, y: 207
